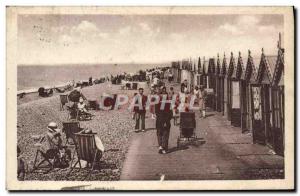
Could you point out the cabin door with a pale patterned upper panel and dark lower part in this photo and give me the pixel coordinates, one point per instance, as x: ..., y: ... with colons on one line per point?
x: 257, y: 115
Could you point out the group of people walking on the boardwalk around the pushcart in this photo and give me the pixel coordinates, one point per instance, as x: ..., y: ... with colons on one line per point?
x: 173, y: 103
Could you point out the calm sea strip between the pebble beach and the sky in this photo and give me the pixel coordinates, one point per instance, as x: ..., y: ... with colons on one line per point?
x: 35, y: 76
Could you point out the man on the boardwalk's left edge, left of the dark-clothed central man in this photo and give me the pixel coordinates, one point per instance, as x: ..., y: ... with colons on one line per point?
x: 140, y: 111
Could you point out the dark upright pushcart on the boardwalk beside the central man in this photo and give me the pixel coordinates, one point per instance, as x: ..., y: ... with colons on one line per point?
x: 187, y: 128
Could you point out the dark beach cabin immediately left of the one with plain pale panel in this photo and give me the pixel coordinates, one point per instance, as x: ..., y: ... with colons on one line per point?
x: 230, y: 71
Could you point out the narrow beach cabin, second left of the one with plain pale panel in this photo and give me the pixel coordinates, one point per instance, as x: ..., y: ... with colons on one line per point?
x: 224, y: 87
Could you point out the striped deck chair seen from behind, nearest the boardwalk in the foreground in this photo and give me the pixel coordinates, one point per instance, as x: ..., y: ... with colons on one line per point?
x: 87, y: 150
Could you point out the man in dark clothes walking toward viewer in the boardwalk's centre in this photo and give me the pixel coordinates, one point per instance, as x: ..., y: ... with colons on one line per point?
x: 163, y: 117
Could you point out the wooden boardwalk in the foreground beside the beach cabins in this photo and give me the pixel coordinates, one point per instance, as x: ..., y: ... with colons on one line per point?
x: 225, y: 153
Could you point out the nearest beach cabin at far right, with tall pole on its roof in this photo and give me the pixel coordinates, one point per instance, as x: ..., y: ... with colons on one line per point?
x: 278, y: 102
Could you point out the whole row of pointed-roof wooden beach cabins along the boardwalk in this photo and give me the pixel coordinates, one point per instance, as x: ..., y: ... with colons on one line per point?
x: 249, y: 92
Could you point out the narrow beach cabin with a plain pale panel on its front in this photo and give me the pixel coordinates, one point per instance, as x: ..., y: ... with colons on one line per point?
x: 235, y: 95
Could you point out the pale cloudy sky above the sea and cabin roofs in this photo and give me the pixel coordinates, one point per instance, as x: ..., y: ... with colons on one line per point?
x: 63, y: 39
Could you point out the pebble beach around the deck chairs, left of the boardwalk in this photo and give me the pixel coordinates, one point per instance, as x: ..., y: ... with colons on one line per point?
x: 114, y: 127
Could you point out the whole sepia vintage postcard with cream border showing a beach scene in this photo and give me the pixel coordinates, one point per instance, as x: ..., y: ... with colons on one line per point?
x: 150, y: 98
